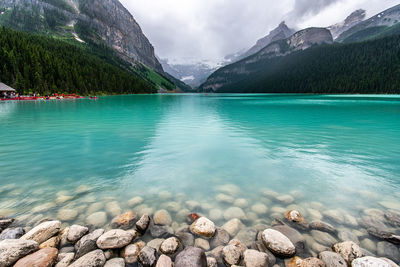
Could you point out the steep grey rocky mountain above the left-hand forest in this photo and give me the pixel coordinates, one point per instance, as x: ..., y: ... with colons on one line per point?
x: 98, y: 21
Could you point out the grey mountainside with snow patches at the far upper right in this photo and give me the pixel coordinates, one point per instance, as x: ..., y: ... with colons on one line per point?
x: 373, y: 27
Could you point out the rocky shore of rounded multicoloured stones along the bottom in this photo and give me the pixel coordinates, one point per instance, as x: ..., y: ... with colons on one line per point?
x: 131, y: 239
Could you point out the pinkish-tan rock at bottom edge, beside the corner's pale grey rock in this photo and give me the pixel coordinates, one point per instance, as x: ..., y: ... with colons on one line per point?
x: 45, y: 257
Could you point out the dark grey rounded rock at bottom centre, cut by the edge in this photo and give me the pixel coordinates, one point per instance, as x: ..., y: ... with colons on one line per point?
x: 191, y: 257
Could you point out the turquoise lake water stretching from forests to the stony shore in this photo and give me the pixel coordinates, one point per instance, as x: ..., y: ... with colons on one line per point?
x: 327, y: 152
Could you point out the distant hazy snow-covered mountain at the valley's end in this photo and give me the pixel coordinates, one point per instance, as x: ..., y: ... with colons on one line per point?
x: 192, y: 74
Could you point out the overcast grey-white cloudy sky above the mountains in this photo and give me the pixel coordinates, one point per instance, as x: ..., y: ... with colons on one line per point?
x: 196, y: 30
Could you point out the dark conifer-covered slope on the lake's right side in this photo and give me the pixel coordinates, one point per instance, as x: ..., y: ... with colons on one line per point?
x: 366, y: 67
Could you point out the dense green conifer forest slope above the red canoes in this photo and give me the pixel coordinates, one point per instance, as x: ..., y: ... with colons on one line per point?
x: 33, y: 63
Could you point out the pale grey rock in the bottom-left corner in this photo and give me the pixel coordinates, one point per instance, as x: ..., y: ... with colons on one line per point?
x: 13, y: 249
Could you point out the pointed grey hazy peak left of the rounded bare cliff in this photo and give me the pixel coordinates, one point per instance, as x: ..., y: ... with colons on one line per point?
x: 279, y: 33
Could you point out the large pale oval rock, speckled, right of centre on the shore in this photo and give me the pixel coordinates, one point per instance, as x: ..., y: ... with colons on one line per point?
x: 278, y: 243
